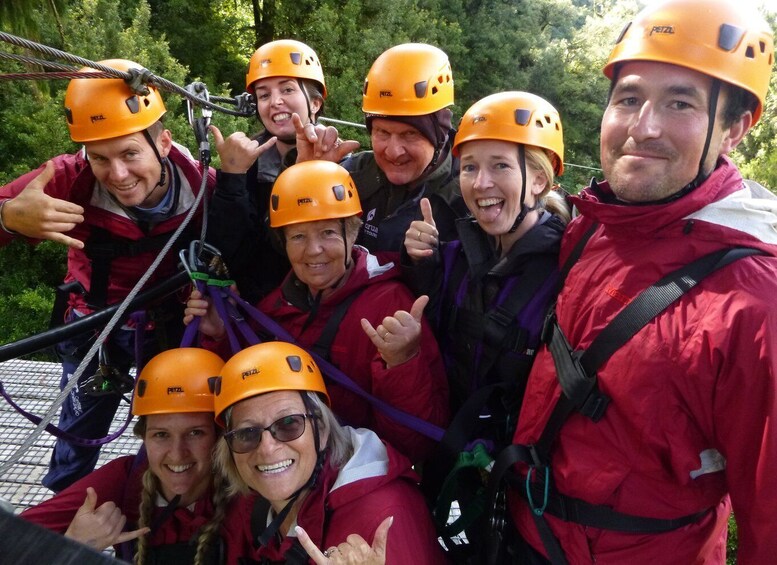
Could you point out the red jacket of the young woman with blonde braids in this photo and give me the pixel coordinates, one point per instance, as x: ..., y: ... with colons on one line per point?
x: 118, y: 482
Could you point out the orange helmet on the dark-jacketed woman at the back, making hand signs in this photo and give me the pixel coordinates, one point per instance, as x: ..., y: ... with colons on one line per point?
x: 285, y: 58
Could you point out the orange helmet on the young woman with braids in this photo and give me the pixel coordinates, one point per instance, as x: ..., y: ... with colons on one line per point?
x: 175, y: 381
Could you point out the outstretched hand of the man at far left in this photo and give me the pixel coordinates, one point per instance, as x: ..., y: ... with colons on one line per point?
x: 35, y: 214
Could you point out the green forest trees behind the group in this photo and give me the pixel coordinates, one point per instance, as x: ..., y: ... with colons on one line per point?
x: 555, y: 48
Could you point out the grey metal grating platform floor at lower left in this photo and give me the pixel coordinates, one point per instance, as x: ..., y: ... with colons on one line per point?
x: 34, y: 385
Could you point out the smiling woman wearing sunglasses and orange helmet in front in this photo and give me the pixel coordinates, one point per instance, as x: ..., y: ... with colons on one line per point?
x: 319, y: 482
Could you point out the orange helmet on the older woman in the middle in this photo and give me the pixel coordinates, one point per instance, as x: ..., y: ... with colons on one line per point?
x: 313, y: 190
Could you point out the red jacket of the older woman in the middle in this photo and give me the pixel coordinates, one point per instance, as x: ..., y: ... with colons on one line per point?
x: 418, y: 386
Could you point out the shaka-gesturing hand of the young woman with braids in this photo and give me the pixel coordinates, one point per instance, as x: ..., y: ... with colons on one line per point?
x: 100, y: 526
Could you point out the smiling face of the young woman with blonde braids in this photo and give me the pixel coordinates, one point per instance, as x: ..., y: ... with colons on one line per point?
x: 180, y: 449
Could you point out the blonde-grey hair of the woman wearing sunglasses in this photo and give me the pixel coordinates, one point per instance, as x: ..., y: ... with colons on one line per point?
x: 338, y: 445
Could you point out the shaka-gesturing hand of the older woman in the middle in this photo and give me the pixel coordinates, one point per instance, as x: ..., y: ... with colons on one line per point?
x: 398, y: 337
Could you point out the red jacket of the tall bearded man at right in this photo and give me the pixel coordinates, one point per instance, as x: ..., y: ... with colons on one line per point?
x: 693, y: 416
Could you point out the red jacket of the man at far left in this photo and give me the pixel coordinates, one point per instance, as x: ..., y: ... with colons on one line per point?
x: 74, y: 181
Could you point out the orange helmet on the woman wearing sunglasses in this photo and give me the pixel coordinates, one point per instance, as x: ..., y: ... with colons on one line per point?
x: 266, y: 367
